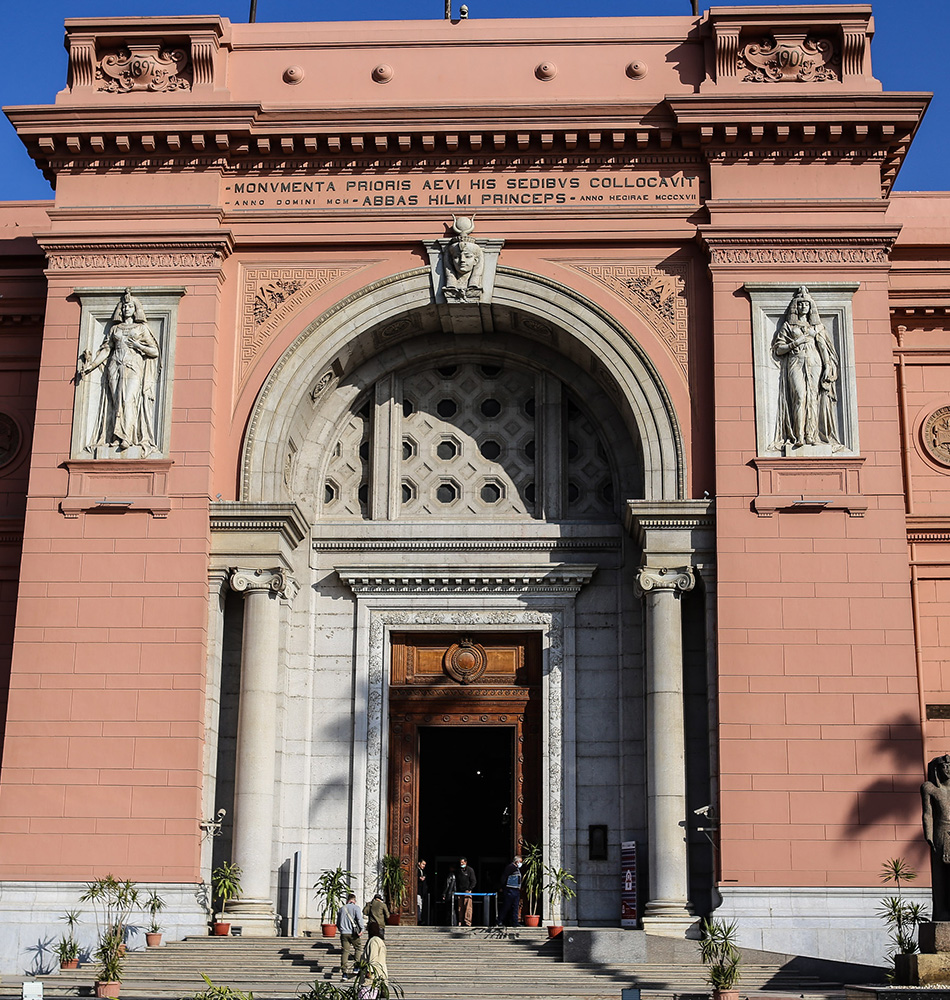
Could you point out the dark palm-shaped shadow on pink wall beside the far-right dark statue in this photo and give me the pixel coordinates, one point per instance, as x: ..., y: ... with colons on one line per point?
x: 893, y: 797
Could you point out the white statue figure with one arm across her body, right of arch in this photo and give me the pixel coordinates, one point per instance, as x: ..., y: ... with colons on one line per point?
x: 808, y: 372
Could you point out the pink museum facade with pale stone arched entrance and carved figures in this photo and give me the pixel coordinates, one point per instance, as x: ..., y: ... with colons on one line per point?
x: 388, y: 407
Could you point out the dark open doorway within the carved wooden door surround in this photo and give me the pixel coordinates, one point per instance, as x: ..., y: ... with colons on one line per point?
x: 466, y: 806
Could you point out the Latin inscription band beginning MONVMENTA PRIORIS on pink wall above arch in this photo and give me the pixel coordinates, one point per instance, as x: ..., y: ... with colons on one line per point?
x: 576, y: 189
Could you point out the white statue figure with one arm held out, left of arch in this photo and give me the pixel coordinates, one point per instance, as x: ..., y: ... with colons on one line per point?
x: 129, y: 357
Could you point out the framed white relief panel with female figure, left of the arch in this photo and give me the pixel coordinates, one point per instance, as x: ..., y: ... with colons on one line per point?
x: 122, y: 406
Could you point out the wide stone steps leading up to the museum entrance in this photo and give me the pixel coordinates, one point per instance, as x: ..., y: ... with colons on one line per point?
x: 428, y: 963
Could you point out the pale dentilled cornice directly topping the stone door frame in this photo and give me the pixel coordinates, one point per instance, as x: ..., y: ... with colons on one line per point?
x: 559, y: 579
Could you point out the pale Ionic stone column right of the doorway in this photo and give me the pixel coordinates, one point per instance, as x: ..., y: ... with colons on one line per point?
x: 668, y: 910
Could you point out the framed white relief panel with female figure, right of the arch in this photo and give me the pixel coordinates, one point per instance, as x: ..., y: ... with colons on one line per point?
x: 805, y: 401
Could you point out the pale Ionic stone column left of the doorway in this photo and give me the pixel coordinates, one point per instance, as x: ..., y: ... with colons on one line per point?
x: 254, y: 912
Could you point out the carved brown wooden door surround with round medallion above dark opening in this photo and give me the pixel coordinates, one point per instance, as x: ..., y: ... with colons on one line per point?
x: 461, y: 679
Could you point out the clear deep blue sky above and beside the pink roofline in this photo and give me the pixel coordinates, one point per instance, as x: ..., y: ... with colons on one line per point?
x: 909, y: 53
